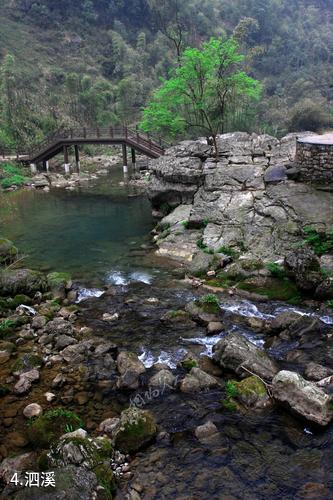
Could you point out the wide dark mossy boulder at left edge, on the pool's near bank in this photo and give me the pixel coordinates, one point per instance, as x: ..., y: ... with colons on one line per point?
x: 22, y: 281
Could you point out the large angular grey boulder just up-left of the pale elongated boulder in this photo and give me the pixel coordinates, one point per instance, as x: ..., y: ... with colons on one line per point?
x: 234, y: 352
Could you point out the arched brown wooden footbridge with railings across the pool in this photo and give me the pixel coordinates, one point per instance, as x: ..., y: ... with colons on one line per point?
x: 61, y: 140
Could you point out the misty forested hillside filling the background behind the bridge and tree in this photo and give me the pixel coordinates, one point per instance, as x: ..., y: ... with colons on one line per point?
x: 96, y: 62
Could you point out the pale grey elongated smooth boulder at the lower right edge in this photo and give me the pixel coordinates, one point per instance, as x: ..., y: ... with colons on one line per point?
x: 303, y: 397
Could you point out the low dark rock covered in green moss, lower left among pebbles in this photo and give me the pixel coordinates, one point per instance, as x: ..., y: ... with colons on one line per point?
x: 46, y: 429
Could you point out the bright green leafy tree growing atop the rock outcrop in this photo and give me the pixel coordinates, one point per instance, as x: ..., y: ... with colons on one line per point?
x: 206, y: 87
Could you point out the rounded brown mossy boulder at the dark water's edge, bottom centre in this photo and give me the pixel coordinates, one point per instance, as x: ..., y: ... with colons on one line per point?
x: 137, y: 429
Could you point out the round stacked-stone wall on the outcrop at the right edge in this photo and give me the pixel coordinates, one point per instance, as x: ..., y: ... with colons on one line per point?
x: 314, y: 162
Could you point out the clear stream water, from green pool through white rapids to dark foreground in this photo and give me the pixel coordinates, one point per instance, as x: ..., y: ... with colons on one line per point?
x: 100, y: 234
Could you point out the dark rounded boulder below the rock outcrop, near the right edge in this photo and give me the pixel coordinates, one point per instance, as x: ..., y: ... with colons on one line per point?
x: 304, y: 267
